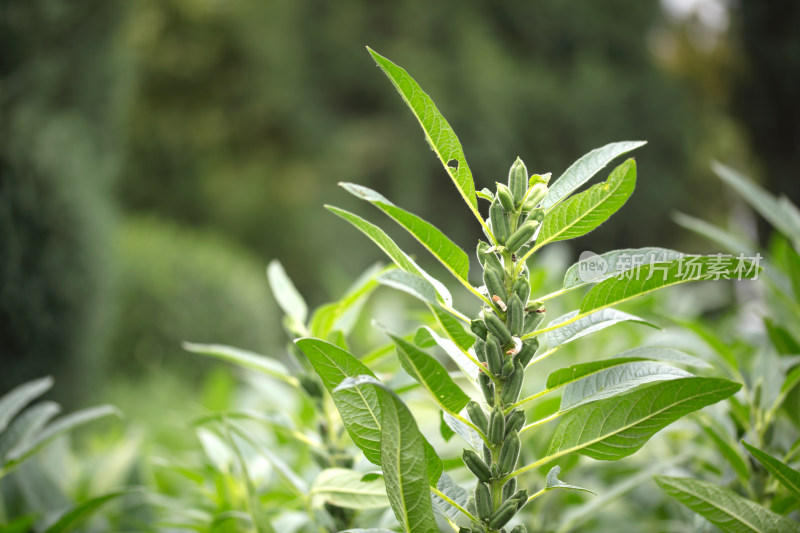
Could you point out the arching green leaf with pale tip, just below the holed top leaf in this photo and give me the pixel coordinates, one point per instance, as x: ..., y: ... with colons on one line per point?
x: 437, y: 243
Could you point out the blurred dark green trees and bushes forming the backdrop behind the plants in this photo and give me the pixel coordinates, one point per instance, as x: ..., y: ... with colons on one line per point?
x: 156, y: 155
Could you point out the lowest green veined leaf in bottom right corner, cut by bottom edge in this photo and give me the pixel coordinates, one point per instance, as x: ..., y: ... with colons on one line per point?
x: 724, y: 508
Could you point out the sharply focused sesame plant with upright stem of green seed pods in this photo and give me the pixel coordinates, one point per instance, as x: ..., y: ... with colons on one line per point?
x: 609, y: 408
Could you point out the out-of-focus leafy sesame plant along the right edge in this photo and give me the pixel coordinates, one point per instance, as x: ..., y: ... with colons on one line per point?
x: 750, y: 481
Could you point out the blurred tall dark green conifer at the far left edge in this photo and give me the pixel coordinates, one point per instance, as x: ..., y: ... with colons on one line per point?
x: 60, y: 87
